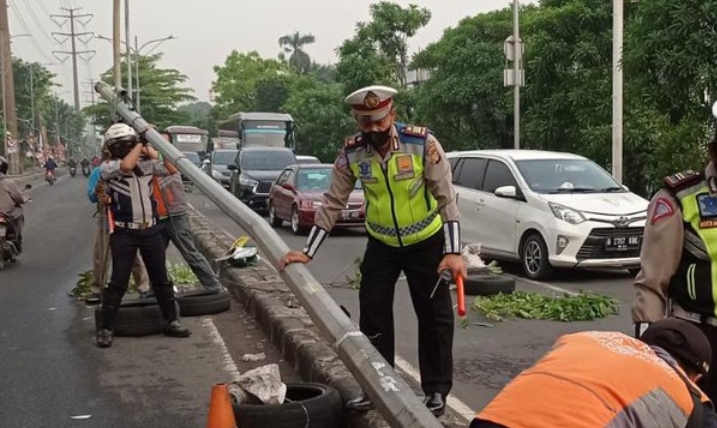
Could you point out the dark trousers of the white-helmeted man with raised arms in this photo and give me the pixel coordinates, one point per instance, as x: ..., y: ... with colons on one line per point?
x: 124, y: 244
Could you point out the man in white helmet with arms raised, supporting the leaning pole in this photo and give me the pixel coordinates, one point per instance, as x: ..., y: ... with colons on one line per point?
x: 129, y: 175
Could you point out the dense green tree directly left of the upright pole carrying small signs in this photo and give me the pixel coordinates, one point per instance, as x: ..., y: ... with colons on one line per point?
x: 464, y: 101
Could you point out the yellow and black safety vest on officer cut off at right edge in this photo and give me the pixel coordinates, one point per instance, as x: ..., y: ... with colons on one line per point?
x: 694, y: 285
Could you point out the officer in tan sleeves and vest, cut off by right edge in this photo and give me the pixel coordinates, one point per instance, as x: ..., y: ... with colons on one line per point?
x: 678, y: 275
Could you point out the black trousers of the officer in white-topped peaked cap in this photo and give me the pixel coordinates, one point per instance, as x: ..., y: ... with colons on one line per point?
x: 380, y: 269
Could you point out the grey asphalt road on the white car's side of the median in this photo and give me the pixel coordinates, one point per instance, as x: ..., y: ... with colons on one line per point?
x: 486, y: 357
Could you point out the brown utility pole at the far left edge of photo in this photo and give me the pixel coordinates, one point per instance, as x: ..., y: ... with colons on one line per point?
x: 8, y: 83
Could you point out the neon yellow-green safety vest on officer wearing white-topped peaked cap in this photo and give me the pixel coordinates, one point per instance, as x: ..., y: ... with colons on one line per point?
x: 400, y: 210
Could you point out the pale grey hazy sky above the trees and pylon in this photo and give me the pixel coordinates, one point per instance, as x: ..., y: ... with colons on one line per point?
x: 206, y: 31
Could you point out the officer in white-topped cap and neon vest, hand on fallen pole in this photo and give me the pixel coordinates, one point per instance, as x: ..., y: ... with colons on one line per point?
x: 413, y: 226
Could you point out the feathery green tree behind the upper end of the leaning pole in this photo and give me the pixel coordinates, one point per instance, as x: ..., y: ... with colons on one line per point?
x: 161, y: 92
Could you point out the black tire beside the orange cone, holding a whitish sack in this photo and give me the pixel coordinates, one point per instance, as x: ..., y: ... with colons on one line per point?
x: 310, y: 405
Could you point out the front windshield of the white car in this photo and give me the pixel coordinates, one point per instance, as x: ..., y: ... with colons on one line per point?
x: 567, y: 176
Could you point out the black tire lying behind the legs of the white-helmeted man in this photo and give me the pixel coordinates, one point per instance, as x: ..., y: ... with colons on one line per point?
x: 136, y: 318
